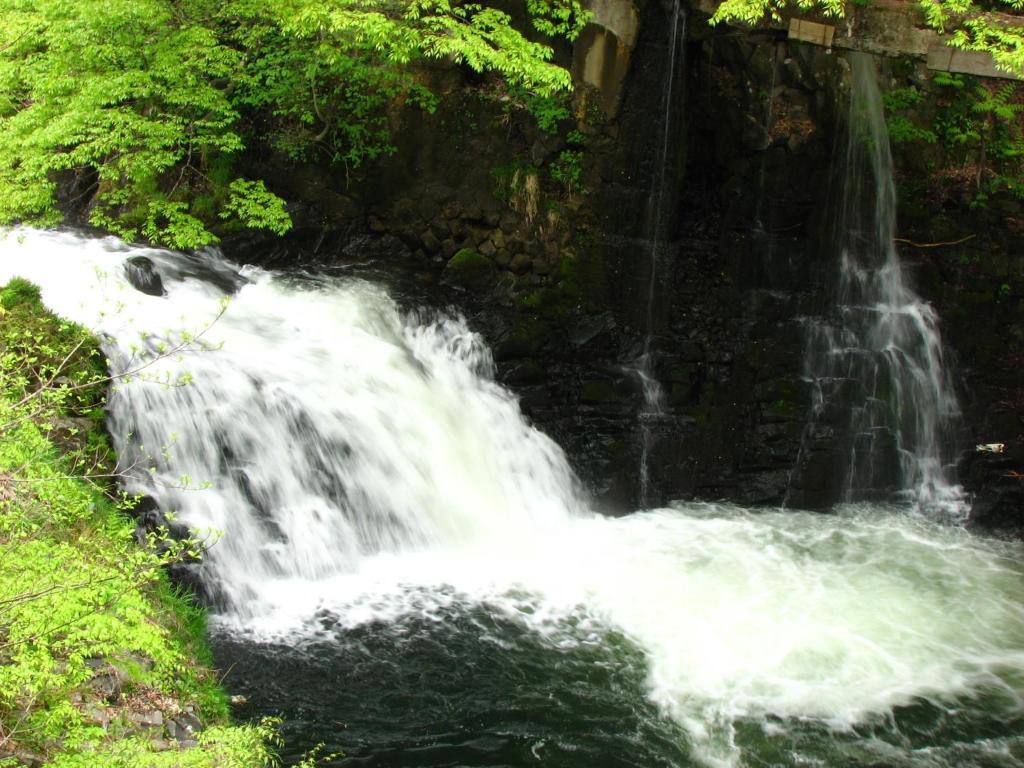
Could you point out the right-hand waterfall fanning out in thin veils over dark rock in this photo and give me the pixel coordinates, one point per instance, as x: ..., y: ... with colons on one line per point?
x: 885, y: 398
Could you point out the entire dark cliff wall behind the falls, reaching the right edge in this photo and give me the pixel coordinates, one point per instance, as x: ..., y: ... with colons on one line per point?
x: 472, y: 212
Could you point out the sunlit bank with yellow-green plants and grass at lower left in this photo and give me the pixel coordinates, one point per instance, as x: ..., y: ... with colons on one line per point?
x: 94, y: 639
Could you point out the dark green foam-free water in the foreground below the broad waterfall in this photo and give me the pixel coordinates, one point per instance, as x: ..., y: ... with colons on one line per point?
x: 465, y: 688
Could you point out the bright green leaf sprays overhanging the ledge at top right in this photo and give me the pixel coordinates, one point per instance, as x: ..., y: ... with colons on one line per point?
x: 972, y: 26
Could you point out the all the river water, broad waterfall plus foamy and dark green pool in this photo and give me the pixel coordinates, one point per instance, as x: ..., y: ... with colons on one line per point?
x: 407, y: 572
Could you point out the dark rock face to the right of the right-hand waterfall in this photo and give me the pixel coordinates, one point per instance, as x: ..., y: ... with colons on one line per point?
x: 977, y: 288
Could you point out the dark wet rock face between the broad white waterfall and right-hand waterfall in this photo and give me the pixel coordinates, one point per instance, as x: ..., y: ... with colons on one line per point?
x: 557, y: 296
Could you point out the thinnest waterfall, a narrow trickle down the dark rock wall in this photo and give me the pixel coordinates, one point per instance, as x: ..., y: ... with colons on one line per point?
x: 657, y: 236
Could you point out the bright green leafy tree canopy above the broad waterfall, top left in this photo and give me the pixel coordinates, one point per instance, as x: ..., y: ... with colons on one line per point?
x: 152, y: 102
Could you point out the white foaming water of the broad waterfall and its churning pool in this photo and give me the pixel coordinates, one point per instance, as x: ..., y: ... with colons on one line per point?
x: 365, y: 466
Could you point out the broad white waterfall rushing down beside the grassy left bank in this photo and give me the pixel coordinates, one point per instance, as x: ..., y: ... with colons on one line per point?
x: 322, y: 428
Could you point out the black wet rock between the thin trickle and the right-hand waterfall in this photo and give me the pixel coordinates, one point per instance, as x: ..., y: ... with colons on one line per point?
x: 745, y: 269
